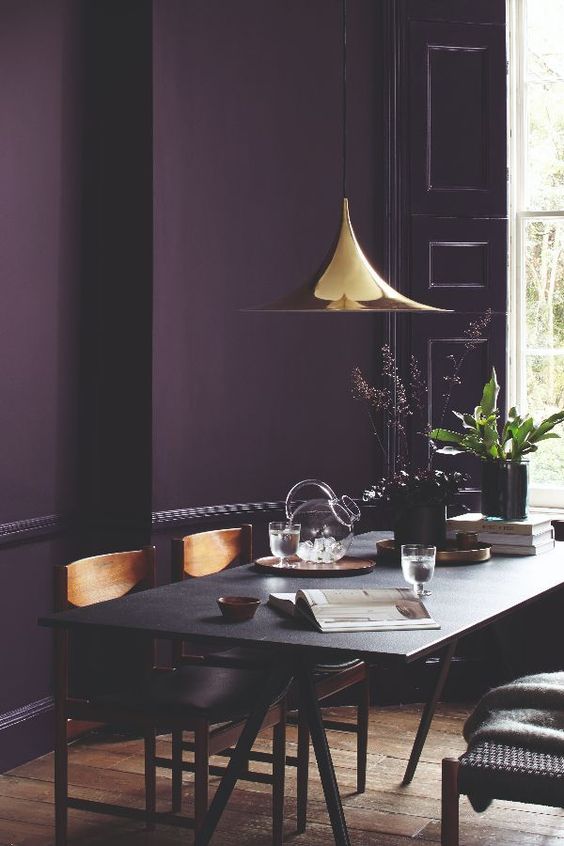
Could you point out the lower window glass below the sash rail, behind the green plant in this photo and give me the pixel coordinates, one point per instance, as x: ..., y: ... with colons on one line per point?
x: 544, y: 267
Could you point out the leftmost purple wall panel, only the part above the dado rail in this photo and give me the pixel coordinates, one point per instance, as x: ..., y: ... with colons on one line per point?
x: 38, y: 256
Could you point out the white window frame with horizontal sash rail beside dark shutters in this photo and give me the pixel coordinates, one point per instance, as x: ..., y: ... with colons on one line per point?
x: 543, y: 496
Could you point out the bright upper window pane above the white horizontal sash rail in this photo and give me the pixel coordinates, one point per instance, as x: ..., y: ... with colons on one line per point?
x: 545, y: 106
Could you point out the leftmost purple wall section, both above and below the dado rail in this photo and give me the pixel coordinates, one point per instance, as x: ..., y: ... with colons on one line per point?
x: 39, y: 245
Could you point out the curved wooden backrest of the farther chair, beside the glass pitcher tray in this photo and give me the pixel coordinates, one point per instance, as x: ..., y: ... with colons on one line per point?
x: 205, y: 553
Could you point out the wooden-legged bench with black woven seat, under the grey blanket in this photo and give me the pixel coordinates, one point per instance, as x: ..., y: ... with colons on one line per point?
x: 498, y: 771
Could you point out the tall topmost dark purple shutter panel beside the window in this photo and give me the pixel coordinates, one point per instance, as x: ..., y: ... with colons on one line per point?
x: 457, y: 118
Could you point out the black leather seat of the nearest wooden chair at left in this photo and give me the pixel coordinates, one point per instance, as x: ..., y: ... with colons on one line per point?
x: 215, y: 693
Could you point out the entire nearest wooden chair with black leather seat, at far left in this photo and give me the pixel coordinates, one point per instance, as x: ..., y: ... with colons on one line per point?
x: 212, y: 702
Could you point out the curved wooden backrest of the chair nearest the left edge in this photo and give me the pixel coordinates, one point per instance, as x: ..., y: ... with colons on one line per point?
x: 104, y: 577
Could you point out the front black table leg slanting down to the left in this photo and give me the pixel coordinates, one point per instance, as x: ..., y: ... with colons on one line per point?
x: 275, y: 682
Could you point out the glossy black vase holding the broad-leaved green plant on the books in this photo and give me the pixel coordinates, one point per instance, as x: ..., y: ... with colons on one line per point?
x: 505, y: 489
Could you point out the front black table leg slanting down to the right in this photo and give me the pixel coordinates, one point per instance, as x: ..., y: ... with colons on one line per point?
x: 310, y: 704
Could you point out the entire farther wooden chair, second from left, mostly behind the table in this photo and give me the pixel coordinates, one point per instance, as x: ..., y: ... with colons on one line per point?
x: 210, y: 552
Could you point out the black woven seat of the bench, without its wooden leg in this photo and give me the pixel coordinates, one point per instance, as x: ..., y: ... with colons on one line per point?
x: 509, y: 772
